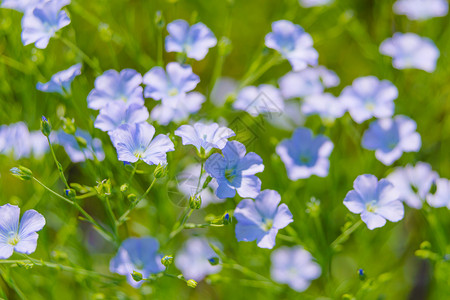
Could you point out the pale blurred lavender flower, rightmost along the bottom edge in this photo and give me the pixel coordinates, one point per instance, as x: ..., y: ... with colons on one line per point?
x: 294, y: 266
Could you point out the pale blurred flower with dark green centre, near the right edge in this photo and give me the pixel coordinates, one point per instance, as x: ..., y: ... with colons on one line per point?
x: 413, y: 183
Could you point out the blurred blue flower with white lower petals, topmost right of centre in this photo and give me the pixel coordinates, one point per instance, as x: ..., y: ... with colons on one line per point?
x: 293, y: 43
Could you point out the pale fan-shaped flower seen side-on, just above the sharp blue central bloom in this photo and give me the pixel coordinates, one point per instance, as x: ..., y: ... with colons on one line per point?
x: 204, y: 136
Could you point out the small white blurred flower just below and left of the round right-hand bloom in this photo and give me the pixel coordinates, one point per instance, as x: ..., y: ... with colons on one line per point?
x: 325, y: 105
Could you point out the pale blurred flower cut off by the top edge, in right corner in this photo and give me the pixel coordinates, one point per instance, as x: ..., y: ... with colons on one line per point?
x: 421, y: 9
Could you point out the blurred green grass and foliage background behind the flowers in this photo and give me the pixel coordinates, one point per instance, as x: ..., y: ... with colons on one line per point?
x: 122, y: 34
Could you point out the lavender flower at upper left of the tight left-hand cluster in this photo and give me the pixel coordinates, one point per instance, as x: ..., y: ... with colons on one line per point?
x: 113, y: 86
